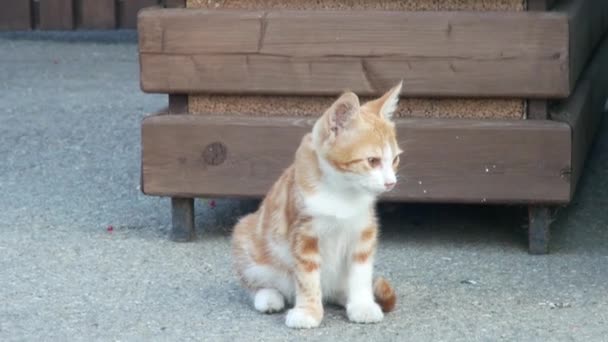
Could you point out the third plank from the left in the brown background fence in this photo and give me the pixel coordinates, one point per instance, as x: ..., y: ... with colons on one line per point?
x: 97, y: 14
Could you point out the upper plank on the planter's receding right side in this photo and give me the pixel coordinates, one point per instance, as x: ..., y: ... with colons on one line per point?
x: 588, y: 21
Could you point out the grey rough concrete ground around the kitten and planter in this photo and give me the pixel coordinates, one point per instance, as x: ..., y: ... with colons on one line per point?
x: 70, y: 111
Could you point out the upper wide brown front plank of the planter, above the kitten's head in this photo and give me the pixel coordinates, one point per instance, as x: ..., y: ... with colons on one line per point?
x: 324, y: 52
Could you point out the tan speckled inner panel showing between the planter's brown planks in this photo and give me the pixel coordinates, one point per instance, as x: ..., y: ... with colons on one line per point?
x: 315, y: 105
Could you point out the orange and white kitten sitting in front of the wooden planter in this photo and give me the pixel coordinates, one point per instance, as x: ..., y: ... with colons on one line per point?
x: 314, y: 236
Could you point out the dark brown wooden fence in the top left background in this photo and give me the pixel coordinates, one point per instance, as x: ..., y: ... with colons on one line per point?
x: 75, y: 14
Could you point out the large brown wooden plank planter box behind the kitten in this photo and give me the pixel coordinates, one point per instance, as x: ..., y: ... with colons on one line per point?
x: 222, y: 64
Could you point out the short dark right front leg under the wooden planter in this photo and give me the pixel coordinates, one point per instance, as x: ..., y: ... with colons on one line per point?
x: 539, y: 229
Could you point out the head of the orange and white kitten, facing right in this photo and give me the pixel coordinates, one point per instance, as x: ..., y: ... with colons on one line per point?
x: 357, y: 143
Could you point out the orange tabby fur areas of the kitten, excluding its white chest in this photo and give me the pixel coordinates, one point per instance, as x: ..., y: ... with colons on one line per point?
x: 346, y: 137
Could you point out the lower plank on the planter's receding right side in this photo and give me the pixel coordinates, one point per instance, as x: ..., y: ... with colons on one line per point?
x: 583, y: 109
